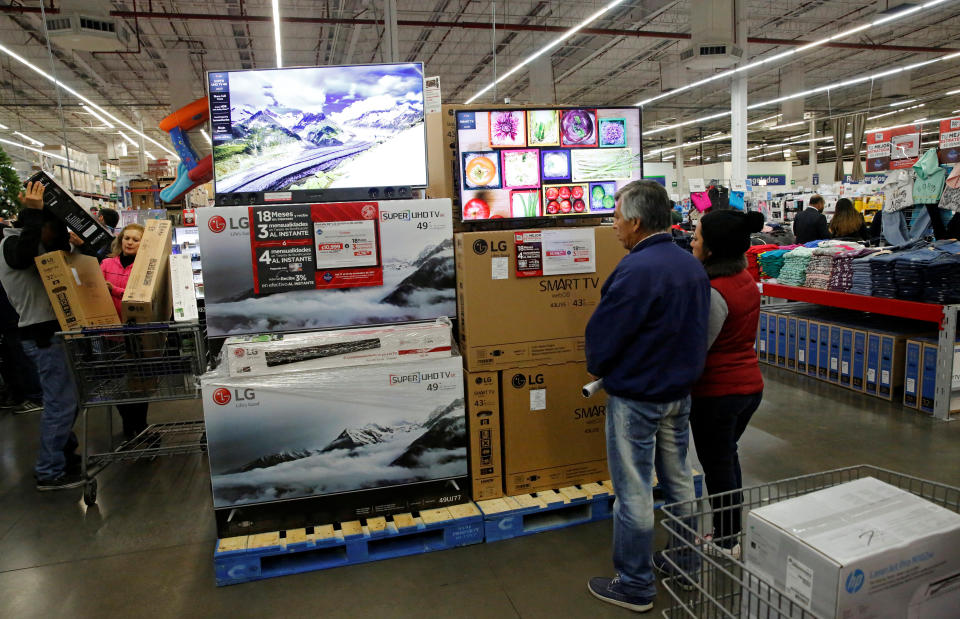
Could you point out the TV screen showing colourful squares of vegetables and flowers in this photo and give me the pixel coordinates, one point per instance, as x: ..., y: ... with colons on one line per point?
x: 546, y: 162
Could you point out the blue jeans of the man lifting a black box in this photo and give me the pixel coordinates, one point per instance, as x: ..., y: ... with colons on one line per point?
x: 59, y: 407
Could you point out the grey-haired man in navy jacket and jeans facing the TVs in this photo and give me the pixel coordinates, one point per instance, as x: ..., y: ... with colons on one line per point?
x: 647, y: 340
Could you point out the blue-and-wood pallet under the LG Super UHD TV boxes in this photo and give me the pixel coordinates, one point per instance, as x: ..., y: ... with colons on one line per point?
x: 265, y: 555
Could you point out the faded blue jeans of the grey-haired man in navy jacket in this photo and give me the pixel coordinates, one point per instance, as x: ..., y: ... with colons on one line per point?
x: 641, y: 436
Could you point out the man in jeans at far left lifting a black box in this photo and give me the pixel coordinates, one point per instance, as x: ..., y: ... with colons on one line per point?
x: 37, y: 232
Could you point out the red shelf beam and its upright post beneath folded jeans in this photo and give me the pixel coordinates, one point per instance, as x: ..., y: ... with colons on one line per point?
x: 944, y: 315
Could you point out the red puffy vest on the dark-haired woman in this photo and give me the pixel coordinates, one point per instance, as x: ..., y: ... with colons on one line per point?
x: 732, y: 367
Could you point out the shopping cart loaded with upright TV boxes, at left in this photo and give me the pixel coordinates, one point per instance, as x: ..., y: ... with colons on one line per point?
x: 137, y: 363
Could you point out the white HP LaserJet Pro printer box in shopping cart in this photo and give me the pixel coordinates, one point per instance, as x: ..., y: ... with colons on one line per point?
x: 860, y: 549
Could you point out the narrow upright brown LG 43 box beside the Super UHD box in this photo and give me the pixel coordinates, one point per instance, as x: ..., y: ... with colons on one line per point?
x: 483, y: 428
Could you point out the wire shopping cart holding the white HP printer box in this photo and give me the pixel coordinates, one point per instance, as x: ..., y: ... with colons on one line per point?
x: 724, y: 587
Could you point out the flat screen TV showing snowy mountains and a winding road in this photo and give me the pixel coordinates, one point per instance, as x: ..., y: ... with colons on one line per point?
x: 318, y: 134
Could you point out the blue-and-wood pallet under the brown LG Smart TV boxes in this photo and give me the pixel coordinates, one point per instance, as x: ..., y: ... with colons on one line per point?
x: 510, y: 517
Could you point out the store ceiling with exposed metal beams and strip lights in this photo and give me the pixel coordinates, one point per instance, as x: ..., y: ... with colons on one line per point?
x: 618, y: 61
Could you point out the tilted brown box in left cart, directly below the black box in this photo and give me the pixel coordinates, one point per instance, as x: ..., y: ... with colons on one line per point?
x: 77, y: 290
